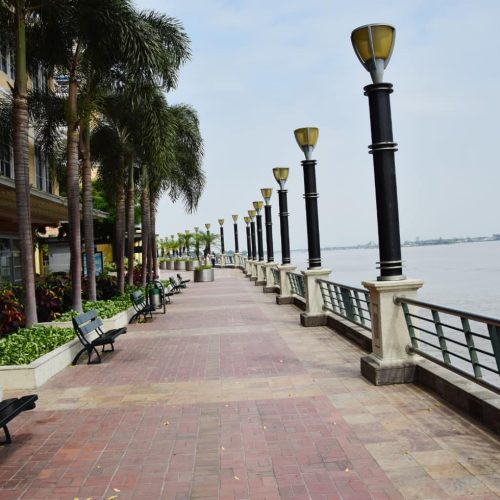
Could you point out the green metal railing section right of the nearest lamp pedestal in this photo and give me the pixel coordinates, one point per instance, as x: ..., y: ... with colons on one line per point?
x: 466, y: 342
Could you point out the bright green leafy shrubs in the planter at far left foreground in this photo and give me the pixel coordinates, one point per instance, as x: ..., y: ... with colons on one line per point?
x: 28, y: 344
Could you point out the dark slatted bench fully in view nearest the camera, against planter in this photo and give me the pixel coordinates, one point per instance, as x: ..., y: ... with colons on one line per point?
x: 86, y: 323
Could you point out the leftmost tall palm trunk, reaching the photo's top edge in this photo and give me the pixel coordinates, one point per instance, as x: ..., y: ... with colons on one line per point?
x: 21, y: 167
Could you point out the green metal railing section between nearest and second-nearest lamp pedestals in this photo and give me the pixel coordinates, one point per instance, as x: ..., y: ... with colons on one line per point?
x: 351, y: 303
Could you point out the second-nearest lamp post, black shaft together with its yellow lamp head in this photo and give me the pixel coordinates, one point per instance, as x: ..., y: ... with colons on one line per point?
x: 306, y: 139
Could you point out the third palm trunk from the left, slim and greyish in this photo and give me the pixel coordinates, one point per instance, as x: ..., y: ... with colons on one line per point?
x: 87, y: 208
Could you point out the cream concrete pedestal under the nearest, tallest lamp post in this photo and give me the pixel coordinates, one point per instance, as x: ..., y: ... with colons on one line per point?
x: 389, y: 362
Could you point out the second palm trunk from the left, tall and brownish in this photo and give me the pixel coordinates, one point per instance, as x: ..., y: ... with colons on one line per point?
x: 73, y: 189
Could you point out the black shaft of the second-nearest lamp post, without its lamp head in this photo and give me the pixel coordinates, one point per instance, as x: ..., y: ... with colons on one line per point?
x: 312, y: 219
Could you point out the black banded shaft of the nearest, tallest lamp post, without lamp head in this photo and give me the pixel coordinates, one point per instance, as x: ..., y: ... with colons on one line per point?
x: 383, y: 148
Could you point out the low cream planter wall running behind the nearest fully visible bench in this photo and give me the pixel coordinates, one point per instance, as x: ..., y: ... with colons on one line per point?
x: 40, y: 370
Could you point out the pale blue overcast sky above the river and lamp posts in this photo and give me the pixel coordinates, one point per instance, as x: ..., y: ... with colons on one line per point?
x: 260, y: 69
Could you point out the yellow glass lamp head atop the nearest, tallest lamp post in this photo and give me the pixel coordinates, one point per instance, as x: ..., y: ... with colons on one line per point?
x: 373, y: 45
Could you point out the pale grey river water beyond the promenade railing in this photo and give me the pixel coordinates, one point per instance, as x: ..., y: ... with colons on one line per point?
x: 463, y: 275
